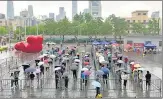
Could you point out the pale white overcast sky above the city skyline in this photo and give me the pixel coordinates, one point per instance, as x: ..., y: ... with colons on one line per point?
x: 120, y: 8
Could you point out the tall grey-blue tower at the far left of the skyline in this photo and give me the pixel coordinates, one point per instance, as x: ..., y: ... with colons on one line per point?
x: 10, y: 10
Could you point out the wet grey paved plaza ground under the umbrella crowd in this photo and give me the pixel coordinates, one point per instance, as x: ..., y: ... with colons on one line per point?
x: 46, y: 87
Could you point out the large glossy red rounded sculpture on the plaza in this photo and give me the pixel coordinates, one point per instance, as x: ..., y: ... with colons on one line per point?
x: 33, y: 44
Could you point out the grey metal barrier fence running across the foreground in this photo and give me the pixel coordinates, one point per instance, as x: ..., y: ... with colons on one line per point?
x: 78, y: 86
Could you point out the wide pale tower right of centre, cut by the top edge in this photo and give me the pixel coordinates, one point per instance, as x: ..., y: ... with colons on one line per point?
x: 95, y: 8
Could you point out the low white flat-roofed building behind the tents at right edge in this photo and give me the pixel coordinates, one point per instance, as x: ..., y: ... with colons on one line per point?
x: 140, y: 41
